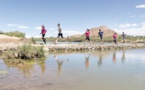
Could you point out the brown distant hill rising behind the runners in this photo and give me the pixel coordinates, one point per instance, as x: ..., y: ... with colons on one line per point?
x: 94, y: 32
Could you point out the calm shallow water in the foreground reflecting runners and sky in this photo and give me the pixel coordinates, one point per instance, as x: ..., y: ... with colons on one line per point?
x: 101, y: 70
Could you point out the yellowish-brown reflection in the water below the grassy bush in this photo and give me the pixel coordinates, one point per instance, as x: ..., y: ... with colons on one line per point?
x: 25, y: 66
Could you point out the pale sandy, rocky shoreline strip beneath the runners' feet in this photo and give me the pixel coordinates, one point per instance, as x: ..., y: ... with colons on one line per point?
x: 74, y: 47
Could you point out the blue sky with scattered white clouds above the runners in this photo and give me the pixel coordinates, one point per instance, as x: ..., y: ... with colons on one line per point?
x: 75, y: 16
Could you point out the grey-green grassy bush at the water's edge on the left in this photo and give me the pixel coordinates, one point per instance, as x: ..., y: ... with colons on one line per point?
x: 24, y: 52
